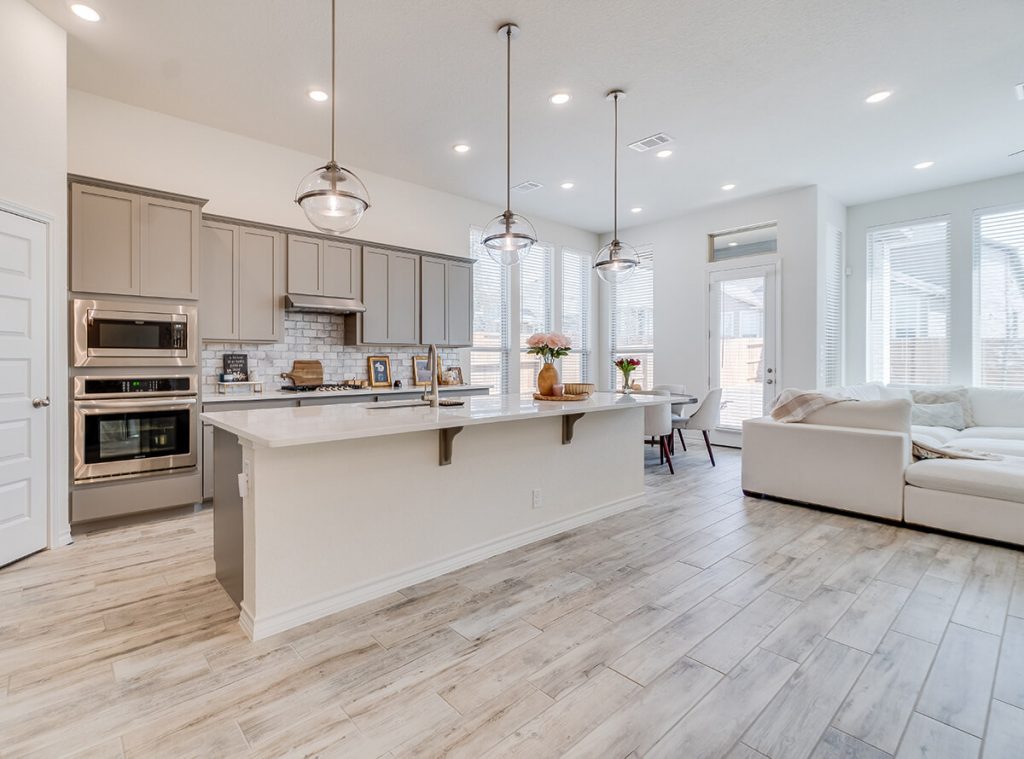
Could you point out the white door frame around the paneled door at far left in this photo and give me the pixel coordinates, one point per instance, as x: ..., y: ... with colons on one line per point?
x: 56, y: 289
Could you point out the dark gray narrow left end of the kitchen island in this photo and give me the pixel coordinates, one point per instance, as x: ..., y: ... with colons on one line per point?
x: 228, y: 536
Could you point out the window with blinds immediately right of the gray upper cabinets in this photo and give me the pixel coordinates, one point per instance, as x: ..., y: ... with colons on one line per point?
x: 489, y: 359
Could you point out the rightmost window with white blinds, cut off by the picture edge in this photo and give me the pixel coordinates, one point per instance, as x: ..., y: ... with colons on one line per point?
x: 999, y: 299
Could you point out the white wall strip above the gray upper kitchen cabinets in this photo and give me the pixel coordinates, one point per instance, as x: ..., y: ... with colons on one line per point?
x: 254, y: 181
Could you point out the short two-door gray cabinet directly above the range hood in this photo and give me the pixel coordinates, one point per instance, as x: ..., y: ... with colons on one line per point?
x: 319, y: 267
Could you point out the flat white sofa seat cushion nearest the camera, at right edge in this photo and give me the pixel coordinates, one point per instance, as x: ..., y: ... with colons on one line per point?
x: 1002, y: 480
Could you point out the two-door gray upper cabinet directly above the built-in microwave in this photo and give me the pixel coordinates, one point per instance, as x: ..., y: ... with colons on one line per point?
x: 129, y: 243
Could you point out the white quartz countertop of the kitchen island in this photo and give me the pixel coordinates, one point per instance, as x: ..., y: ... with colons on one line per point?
x: 312, y: 425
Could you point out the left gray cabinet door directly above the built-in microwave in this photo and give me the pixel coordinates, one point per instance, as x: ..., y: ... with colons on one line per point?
x: 105, y: 241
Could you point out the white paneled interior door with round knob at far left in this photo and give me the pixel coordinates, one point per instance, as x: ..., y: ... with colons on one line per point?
x: 23, y: 387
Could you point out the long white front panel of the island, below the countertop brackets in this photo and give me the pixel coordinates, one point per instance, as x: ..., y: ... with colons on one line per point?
x: 338, y: 524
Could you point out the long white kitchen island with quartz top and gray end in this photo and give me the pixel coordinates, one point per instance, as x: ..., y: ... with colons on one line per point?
x: 320, y: 509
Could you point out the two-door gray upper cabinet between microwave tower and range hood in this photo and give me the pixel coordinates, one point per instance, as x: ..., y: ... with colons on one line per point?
x: 243, y: 284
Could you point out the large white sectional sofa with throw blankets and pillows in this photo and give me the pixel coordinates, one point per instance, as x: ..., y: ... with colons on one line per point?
x: 858, y: 457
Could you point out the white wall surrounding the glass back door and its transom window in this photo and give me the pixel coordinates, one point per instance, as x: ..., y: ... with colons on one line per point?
x: 681, y: 296
